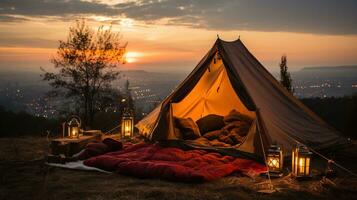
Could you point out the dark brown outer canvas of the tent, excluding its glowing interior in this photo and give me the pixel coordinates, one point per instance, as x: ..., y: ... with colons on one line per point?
x: 282, y: 118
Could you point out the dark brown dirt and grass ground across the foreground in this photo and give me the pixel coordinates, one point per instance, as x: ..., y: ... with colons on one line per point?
x: 24, y: 175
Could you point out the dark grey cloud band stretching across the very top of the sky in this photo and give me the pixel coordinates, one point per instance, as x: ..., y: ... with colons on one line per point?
x: 318, y: 16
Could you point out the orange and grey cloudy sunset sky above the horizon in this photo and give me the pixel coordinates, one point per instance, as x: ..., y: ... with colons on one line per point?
x: 170, y: 36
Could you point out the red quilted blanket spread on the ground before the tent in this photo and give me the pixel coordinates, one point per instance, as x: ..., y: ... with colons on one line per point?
x: 150, y: 160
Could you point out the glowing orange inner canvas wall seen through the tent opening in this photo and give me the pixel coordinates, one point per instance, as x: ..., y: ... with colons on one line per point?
x: 213, y: 94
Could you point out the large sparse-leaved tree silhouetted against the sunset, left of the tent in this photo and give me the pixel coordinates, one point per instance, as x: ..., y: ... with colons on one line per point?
x: 86, y: 66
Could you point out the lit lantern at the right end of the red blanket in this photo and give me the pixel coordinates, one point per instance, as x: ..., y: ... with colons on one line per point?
x: 275, y: 159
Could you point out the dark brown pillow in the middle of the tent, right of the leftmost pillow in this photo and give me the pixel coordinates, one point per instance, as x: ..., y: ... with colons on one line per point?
x: 210, y: 123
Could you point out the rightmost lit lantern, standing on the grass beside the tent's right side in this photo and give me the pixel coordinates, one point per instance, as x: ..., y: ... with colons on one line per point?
x: 301, y: 161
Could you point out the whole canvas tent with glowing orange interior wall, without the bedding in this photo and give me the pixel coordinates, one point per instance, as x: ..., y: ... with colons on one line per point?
x: 230, y: 77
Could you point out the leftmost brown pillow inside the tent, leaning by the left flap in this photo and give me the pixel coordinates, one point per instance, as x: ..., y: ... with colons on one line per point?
x: 188, y: 128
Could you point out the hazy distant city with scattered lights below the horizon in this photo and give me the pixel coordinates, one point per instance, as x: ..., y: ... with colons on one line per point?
x: 24, y: 91
